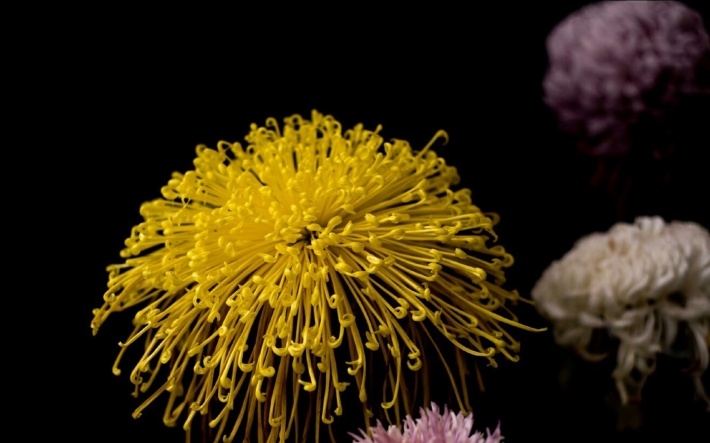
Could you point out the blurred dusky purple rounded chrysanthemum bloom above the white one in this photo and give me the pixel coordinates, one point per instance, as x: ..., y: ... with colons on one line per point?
x: 615, y: 64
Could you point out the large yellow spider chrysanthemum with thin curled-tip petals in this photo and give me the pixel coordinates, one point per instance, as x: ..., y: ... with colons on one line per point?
x: 255, y: 268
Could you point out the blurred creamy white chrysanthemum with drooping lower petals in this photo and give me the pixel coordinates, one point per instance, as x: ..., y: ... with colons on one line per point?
x: 644, y: 283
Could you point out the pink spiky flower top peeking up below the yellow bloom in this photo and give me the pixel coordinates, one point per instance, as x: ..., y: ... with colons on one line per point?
x: 430, y: 427
